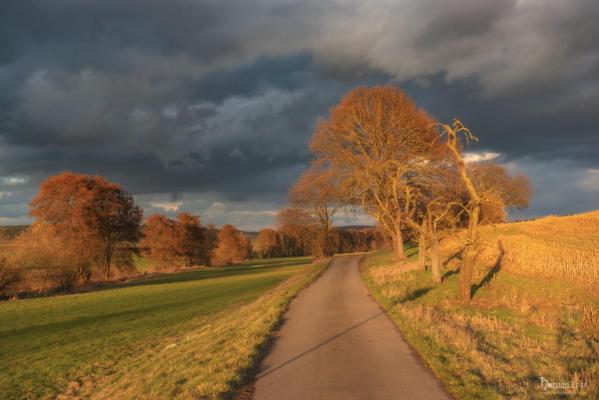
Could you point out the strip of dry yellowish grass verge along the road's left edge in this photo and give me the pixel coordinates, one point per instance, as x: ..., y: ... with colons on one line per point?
x: 207, y: 362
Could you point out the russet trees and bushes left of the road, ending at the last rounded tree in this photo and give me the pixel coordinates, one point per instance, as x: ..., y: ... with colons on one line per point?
x: 85, y: 225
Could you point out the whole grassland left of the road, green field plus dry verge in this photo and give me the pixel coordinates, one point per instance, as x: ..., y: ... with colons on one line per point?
x: 112, y: 342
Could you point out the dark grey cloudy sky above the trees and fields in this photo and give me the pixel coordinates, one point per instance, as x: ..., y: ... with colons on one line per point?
x: 207, y: 106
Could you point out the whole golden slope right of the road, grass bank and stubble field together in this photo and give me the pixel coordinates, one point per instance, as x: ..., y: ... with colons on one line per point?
x: 535, y: 310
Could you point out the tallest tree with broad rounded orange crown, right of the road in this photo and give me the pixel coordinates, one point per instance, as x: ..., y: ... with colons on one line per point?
x: 374, y: 141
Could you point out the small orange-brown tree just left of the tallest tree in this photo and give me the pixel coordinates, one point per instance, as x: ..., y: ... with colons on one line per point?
x: 317, y: 192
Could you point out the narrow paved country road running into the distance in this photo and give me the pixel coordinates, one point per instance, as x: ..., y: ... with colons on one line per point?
x: 336, y: 343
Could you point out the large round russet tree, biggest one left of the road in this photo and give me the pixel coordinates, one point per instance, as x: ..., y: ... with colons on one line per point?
x: 93, y: 213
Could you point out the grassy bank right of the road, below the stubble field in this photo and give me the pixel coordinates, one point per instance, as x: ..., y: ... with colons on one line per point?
x: 518, y: 329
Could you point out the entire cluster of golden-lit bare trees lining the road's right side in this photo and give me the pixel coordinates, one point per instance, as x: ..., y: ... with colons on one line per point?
x: 379, y: 152
